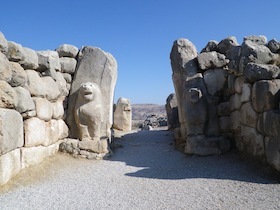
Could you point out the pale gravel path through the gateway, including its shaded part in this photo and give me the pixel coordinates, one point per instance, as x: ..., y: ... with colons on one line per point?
x: 145, y: 173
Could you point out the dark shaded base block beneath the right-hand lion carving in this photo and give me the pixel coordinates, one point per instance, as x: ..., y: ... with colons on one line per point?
x: 201, y: 145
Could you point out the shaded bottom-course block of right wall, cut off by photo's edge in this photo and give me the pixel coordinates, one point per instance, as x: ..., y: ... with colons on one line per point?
x: 272, y: 148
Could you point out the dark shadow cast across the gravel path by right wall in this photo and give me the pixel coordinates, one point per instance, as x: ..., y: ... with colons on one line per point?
x: 154, y: 153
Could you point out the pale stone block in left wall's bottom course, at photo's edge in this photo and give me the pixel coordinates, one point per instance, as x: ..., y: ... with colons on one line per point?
x: 10, y: 166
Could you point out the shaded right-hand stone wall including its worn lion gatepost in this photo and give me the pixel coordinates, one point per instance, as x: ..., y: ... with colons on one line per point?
x: 228, y: 95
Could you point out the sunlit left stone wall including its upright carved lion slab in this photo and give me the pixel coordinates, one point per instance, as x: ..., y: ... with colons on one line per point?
x: 46, y: 104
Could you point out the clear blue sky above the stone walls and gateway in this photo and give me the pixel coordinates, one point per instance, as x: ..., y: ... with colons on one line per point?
x: 139, y: 34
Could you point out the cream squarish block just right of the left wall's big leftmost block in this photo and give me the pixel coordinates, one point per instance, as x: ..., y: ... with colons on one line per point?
x: 34, y: 132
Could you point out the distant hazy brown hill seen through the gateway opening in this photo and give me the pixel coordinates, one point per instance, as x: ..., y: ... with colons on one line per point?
x: 141, y: 111
